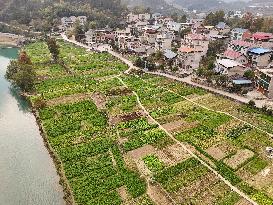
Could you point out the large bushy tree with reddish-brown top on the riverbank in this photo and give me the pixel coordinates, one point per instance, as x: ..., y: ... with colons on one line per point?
x: 21, y: 73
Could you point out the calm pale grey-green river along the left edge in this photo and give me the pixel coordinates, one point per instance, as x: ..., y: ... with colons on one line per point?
x: 27, y: 173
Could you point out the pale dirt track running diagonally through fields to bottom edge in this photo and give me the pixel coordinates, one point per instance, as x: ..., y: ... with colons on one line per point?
x: 233, y: 188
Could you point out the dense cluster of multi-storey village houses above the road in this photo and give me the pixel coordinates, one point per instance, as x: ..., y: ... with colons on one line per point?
x: 146, y: 34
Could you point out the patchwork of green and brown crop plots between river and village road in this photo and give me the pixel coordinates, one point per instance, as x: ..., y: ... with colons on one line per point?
x: 113, y: 153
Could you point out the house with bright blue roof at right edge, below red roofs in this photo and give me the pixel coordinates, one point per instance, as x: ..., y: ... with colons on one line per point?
x: 260, y: 57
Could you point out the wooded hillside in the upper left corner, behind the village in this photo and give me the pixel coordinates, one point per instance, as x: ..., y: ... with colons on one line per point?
x: 40, y: 13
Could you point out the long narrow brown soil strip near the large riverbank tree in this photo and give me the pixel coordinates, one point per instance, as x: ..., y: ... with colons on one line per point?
x: 68, y: 99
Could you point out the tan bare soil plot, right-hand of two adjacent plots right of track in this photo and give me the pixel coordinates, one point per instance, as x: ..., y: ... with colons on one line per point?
x: 239, y: 158
